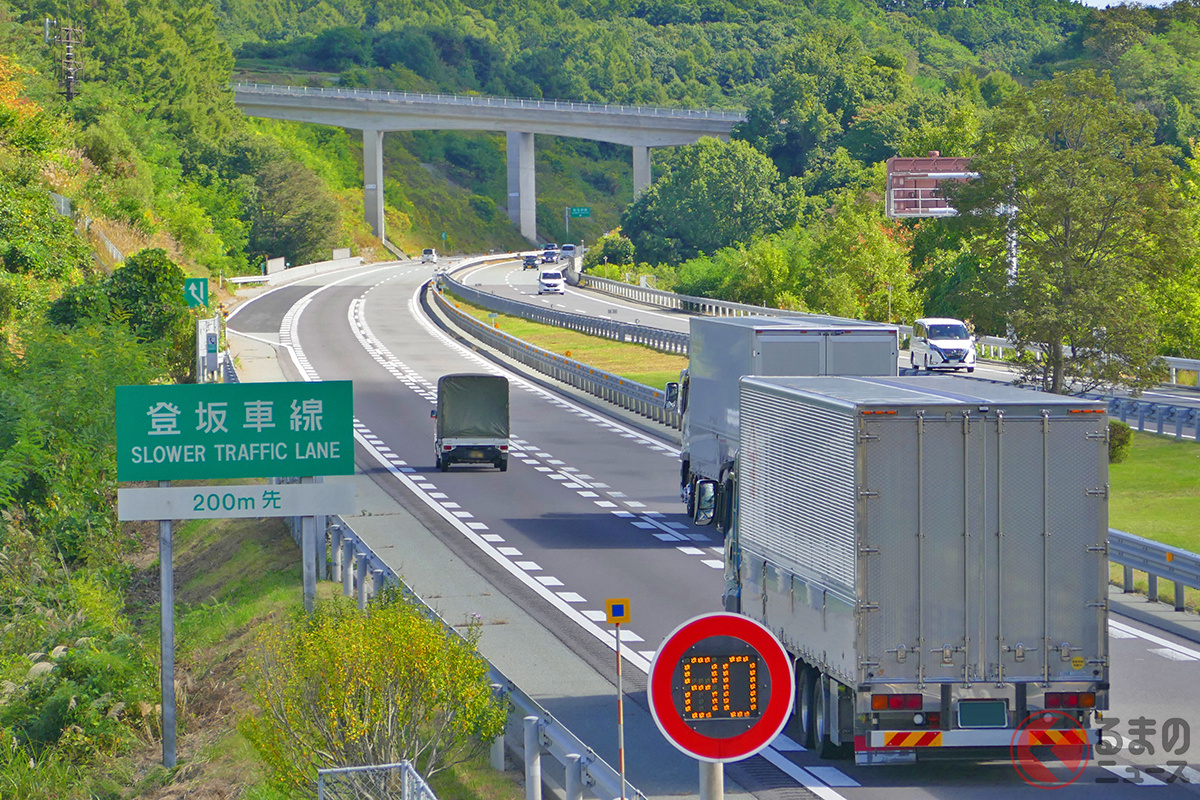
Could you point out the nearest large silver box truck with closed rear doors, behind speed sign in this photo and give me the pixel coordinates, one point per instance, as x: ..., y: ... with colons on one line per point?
x: 934, y: 555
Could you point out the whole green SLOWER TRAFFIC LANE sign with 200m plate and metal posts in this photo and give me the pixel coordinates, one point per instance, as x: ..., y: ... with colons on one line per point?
x: 227, y: 431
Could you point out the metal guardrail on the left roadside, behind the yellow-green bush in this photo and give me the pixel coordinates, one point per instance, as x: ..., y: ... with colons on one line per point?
x: 363, y: 573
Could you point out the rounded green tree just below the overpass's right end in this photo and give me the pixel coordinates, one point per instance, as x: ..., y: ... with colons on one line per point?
x: 716, y: 195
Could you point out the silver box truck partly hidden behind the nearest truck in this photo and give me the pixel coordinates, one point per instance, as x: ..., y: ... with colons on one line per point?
x: 723, y: 350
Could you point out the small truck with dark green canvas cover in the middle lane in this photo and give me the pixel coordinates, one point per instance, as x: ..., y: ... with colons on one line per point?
x: 472, y: 420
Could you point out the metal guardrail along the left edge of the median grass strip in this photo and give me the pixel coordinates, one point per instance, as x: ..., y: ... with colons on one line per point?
x: 627, y: 394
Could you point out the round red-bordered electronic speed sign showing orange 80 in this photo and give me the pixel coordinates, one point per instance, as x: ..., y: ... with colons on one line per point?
x: 722, y: 688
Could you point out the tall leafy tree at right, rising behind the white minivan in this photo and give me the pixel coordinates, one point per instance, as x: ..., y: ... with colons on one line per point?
x: 1097, y: 224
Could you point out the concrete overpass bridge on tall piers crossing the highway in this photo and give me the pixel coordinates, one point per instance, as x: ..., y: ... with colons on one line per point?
x: 379, y: 112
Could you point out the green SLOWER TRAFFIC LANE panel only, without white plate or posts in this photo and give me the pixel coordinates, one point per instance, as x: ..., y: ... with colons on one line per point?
x: 220, y: 431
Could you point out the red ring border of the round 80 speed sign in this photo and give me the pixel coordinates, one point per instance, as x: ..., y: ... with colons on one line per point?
x: 779, y: 705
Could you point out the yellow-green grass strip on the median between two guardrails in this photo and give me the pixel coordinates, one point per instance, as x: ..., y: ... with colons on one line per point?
x: 633, y: 362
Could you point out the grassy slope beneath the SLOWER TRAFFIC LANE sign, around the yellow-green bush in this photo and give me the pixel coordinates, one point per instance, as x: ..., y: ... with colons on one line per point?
x: 233, y: 576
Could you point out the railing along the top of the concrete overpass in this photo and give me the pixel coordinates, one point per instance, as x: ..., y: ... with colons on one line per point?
x: 495, y: 103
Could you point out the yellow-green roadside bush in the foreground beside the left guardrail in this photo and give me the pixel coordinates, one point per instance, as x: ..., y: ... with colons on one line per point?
x: 349, y: 689
